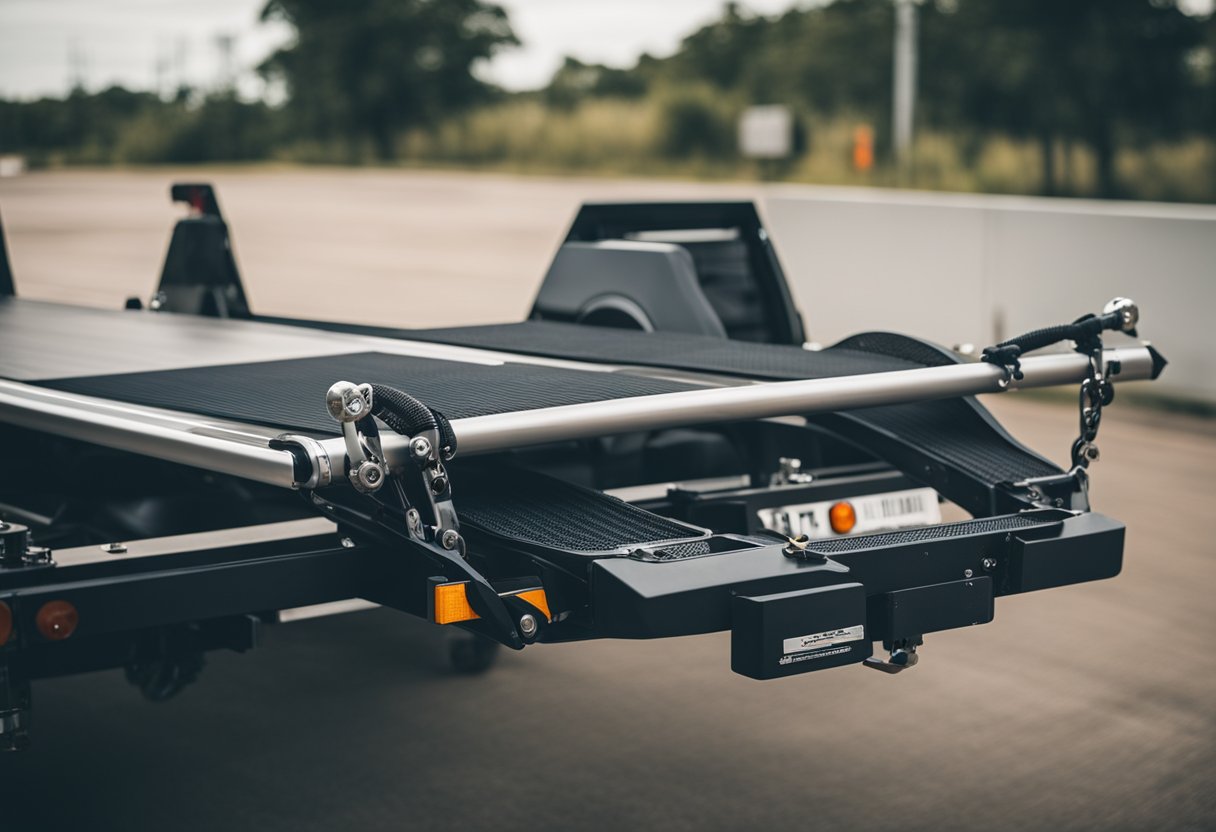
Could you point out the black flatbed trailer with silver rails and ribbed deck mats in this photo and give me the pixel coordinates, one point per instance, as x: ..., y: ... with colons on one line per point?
x: 178, y: 476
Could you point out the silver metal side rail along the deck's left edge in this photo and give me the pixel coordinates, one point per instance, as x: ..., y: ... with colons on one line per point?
x: 164, y: 435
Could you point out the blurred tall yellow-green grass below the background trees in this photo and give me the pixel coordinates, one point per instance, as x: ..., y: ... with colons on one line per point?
x: 633, y: 138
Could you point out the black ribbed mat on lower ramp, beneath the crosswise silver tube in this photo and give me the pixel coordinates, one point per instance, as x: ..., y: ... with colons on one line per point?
x: 539, y: 510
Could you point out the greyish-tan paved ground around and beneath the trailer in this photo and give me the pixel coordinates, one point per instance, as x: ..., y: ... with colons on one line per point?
x: 1088, y: 707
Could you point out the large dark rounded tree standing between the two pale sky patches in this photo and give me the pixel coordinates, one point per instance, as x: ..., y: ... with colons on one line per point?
x: 371, y: 69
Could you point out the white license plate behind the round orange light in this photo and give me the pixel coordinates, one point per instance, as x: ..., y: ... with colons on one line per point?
x: 875, y: 513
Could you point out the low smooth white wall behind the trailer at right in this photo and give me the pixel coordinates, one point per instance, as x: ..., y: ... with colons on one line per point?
x: 961, y: 268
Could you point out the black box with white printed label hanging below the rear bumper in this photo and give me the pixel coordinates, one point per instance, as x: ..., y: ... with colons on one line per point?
x: 813, y: 629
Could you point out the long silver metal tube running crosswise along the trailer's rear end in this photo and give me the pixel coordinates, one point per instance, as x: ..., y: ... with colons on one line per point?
x: 483, y: 435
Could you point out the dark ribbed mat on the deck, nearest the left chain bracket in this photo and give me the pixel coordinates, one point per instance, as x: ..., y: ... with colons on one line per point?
x: 291, y: 395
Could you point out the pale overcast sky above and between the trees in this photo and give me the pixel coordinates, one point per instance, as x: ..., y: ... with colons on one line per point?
x: 44, y: 44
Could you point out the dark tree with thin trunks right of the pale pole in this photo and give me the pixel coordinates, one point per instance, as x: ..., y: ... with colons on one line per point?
x: 1096, y: 71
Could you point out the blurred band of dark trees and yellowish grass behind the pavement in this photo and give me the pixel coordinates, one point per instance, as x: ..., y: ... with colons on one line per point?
x: 1086, y: 98
